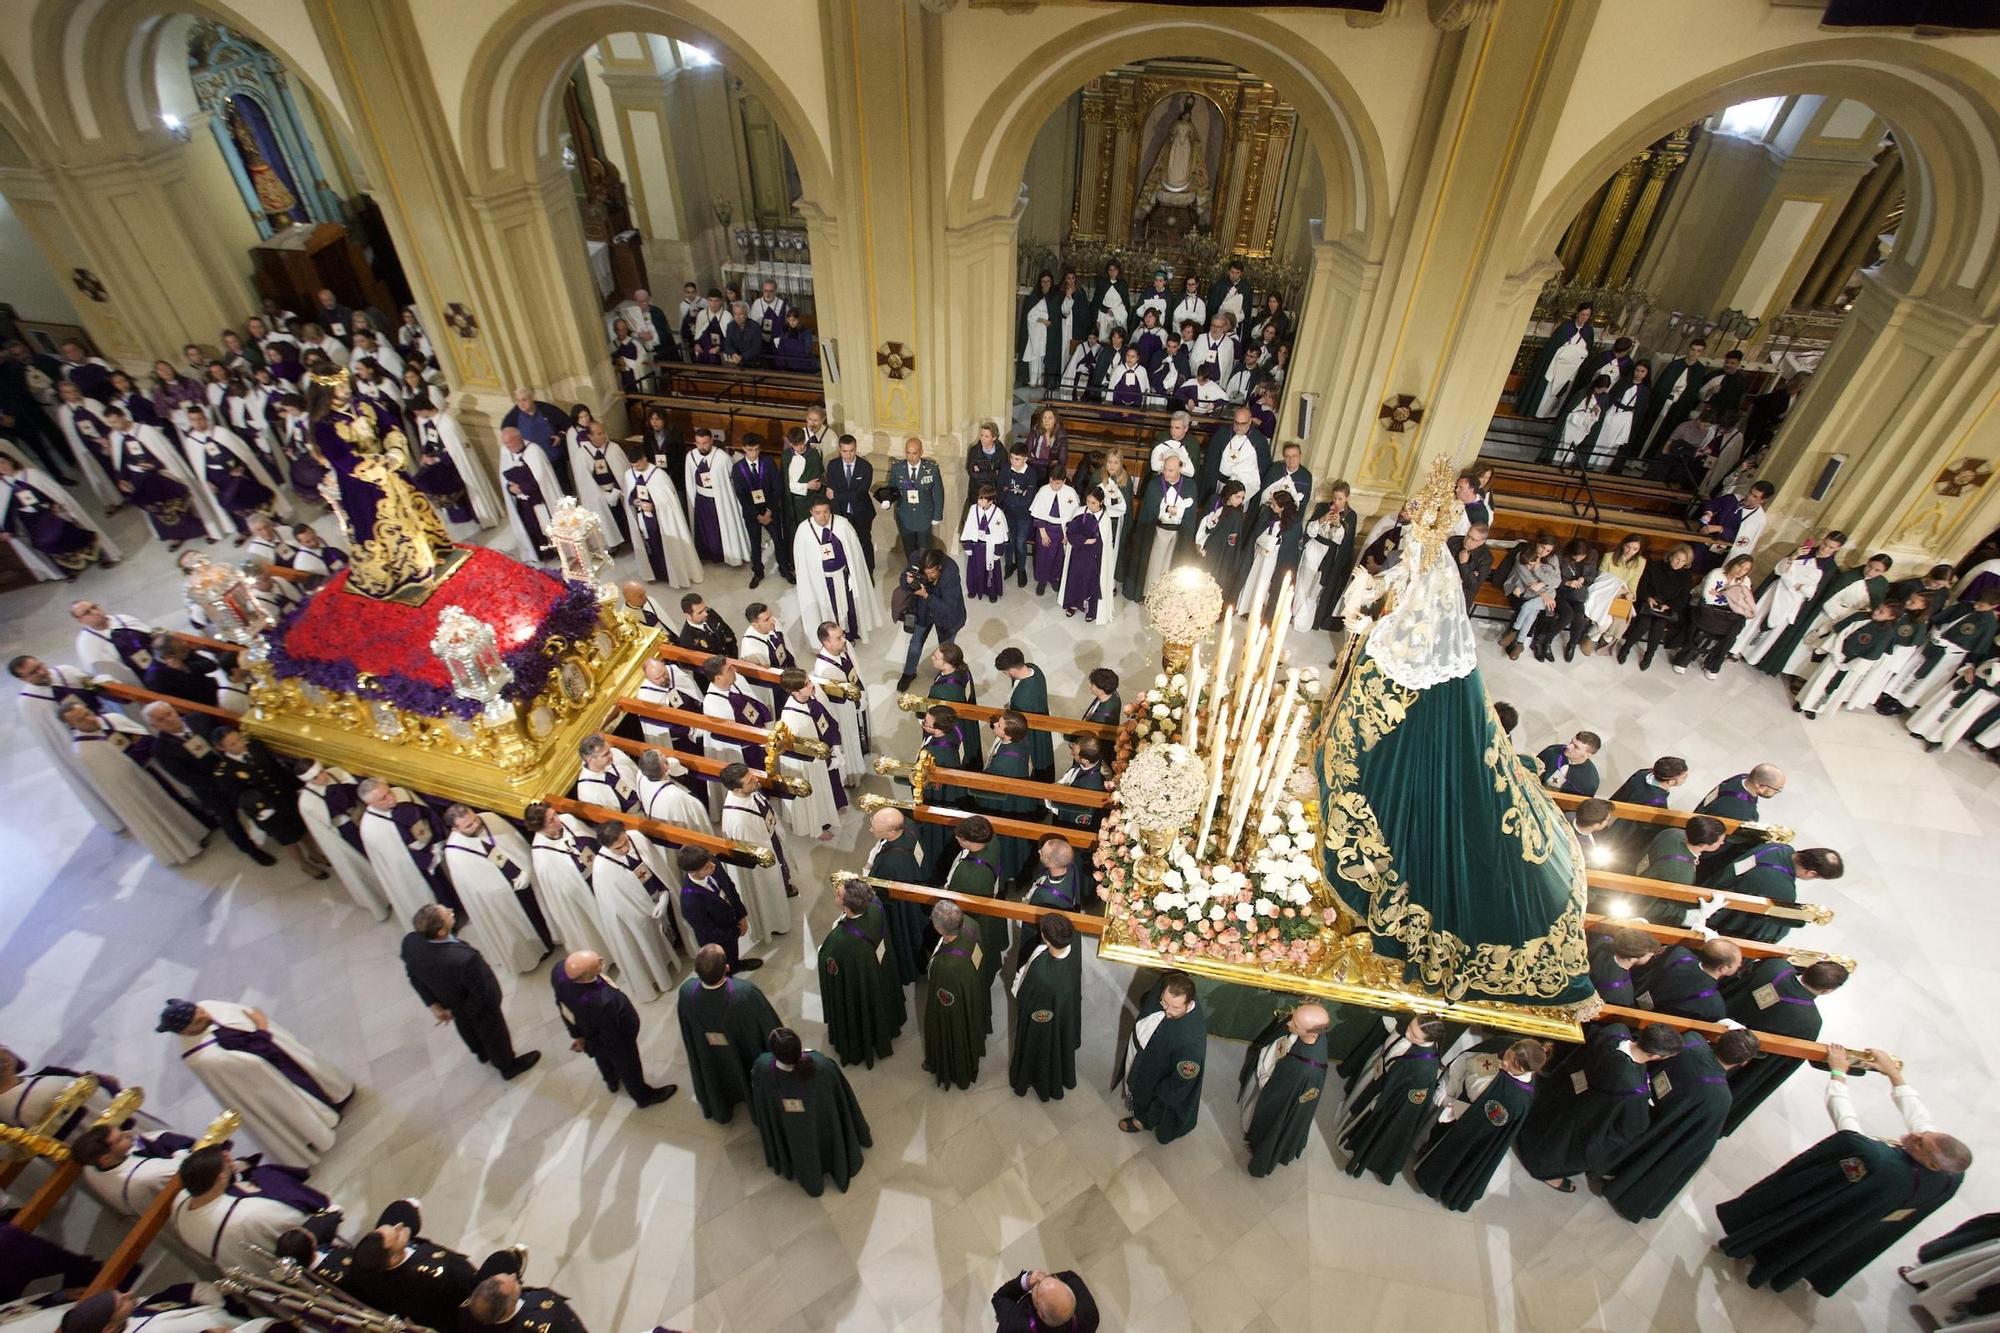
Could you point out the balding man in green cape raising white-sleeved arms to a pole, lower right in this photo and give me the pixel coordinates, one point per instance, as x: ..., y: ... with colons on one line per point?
x: 1833, y: 1210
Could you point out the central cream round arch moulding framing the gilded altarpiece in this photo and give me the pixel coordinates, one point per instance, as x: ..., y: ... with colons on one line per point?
x: 995, y: 155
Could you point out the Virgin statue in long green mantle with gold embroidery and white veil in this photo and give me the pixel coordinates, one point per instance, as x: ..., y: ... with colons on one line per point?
x: 1435, y: 840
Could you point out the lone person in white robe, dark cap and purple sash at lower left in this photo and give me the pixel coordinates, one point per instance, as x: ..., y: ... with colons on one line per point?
x: 221, y: 1046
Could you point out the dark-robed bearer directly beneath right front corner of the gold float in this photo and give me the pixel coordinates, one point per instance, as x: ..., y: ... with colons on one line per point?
x: 1591, y: 1110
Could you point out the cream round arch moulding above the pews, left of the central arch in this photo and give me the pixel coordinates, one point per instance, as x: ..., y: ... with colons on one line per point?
x: 511, y: 97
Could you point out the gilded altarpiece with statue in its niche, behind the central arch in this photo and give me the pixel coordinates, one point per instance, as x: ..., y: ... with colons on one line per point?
x: 1235, y: 139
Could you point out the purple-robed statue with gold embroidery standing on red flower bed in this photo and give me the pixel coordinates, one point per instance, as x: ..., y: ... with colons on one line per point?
x: 397, y: 543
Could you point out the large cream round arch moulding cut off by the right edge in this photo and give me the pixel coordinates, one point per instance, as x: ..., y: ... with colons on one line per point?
x: 1943, y: 111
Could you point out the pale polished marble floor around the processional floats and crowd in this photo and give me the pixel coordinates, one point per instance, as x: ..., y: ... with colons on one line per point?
x: 651, y: 1218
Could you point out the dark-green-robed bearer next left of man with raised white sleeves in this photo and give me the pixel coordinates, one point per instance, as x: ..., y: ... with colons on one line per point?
x: 1691, y: 1100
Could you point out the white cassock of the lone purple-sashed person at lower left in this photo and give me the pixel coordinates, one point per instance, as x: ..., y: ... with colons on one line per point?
x: 293, y: 1126
